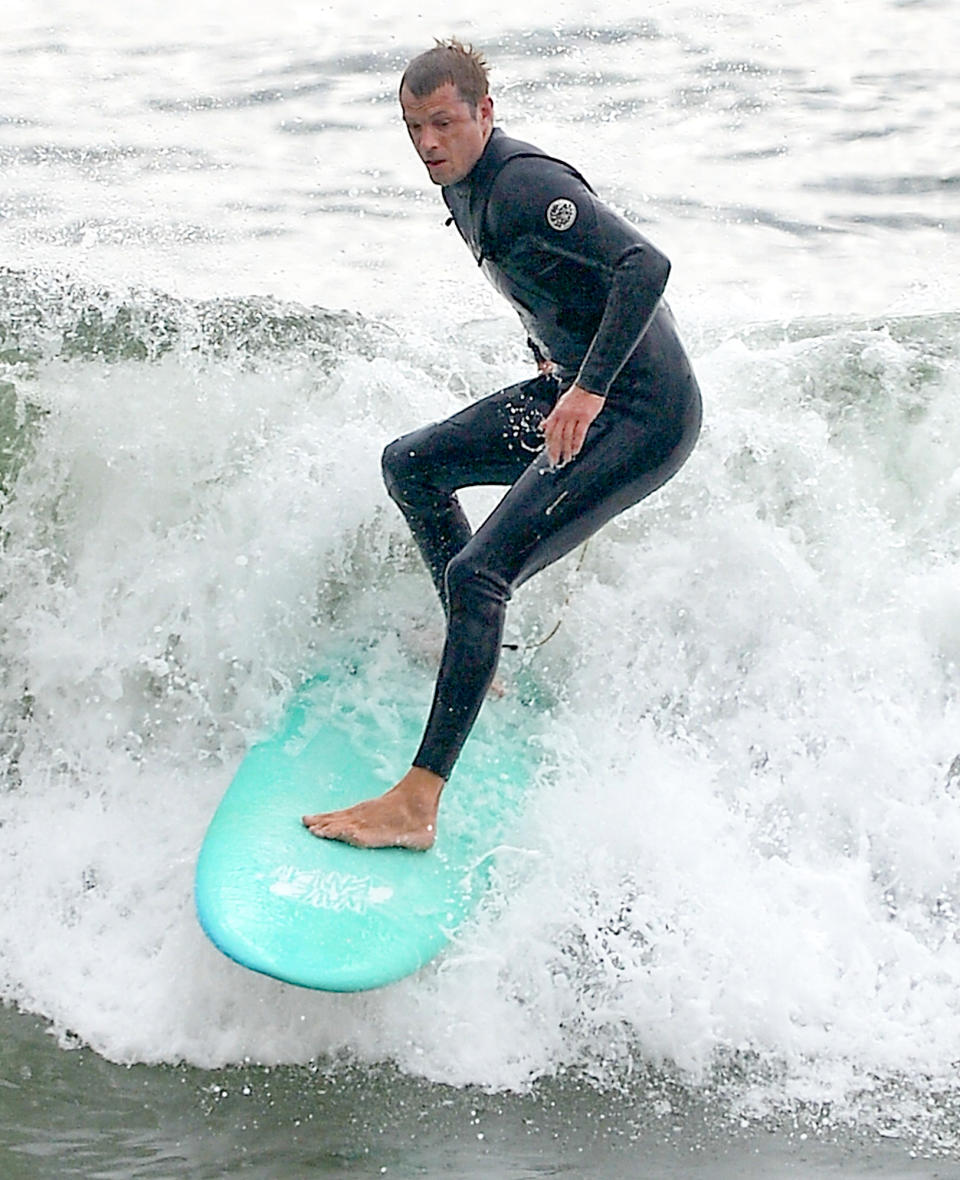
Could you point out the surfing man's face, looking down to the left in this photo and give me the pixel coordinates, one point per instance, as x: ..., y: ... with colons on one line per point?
x: 449, y: 136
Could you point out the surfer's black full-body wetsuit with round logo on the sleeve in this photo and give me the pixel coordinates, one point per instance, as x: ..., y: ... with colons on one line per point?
x: 588, y: 289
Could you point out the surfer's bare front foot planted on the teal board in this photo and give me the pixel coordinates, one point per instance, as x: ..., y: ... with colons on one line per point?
x: 403, y: 818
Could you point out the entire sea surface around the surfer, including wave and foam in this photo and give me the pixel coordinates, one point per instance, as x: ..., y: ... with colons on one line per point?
x: 727, y: 939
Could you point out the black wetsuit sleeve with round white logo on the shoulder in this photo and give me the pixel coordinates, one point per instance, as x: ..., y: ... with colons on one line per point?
x: 595, y: 264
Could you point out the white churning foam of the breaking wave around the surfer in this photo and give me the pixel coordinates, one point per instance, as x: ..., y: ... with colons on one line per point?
x: 741, y: 844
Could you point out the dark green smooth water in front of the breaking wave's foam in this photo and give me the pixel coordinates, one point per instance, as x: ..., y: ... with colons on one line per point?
x: 68, y: 1113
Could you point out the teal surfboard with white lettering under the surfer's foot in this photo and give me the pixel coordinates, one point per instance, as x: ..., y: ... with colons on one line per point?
x: 324, y: 915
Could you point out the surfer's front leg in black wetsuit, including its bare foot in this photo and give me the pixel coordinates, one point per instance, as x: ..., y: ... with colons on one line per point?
x: 545, y: 515
